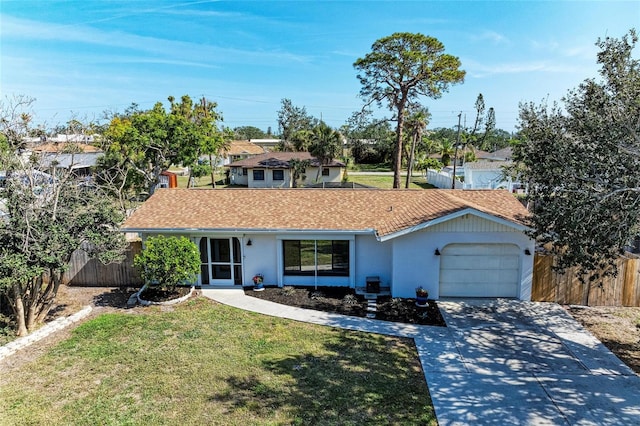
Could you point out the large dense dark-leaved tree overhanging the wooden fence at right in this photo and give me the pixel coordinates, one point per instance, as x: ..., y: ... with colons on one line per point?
x: 582, y: 163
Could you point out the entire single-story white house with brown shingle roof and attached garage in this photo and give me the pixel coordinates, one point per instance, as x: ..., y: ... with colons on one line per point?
x: 454, y: 243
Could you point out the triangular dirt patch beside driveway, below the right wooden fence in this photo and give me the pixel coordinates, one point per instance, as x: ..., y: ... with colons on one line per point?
x: 618, y: 328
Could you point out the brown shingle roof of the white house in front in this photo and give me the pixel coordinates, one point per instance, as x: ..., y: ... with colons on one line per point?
x: 383, y: 211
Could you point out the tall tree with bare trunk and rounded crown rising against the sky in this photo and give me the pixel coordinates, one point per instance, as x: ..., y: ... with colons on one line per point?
x: 400, y: 68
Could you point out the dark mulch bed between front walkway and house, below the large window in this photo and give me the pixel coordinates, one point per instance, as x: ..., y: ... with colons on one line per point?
x: 344, y: 301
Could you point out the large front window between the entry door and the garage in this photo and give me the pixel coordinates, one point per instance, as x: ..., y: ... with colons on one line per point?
x: 308, y: 257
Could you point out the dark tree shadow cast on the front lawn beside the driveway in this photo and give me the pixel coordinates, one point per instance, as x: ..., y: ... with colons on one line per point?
x: 361, y: 378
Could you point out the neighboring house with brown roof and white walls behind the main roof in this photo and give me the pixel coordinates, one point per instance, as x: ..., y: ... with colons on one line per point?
x: 273, y: 170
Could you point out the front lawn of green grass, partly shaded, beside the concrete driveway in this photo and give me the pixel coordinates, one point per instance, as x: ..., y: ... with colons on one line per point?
x: 205, y: 363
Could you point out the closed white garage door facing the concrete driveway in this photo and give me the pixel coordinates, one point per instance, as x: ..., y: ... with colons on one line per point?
x: 479, y: 270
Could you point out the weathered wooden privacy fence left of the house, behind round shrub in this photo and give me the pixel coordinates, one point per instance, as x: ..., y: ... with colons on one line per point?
x: 84, y: 271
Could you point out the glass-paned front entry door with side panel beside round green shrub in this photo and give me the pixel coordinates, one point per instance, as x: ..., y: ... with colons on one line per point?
x: 220, y: 261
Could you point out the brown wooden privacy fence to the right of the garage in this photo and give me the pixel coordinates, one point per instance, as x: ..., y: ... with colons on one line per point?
x: 566, y: 288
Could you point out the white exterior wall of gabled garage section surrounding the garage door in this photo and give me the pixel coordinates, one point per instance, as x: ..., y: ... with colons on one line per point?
x: 415, y: 262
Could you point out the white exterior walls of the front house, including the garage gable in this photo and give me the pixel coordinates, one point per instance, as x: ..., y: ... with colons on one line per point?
x: 402, y: 263
